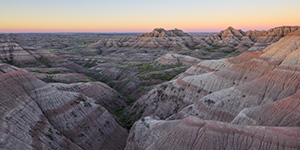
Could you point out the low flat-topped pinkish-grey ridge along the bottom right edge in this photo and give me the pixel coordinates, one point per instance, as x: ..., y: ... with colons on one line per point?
x: 194, y: 133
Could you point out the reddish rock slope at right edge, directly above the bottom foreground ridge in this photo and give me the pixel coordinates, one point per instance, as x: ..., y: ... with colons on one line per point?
x: 284, y: 112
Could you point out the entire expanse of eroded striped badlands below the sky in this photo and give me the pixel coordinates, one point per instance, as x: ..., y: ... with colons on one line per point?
x: 156, y: 90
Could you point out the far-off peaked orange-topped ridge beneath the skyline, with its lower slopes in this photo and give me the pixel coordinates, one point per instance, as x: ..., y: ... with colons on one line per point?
x: 227, y: 43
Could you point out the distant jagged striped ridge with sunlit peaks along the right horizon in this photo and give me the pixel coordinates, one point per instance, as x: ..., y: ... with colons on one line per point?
x: 229, y: 39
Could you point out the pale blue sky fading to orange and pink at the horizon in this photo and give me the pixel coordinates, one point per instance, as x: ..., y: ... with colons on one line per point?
x: 145, y: 15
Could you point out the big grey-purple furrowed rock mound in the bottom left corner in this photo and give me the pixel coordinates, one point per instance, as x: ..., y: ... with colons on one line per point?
x: 35, y: 115
